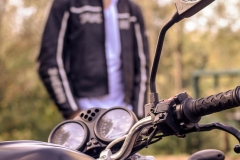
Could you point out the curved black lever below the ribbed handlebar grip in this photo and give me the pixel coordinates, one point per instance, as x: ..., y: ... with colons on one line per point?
x: 220, y: 126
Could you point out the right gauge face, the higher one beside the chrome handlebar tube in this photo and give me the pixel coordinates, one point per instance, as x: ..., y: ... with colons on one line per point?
x: 114, y: 124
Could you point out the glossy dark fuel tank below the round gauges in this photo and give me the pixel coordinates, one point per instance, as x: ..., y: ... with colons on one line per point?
x: 29, y: 150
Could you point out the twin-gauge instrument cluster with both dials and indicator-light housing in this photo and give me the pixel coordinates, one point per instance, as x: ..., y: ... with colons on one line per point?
x: 93, y: 129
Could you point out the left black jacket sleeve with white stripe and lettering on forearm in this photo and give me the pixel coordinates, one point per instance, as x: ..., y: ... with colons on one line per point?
x: 51, y: 67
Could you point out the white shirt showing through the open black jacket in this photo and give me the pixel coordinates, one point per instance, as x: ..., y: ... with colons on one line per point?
x: 115, y: 97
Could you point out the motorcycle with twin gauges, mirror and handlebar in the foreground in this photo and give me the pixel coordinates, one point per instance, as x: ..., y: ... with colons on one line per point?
x: 116, y: 133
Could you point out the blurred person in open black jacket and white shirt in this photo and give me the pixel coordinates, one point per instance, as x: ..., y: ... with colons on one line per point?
x: 94, y: 53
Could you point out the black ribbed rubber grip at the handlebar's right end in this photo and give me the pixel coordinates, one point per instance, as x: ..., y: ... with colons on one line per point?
x: 194, y: 109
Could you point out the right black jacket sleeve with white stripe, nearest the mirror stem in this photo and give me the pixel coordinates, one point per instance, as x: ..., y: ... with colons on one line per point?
x: 141, y: 63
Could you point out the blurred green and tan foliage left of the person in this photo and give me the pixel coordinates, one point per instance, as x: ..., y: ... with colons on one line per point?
x: 26, y: 110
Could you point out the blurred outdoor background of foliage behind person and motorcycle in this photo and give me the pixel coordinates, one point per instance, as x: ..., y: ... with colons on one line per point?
x: 201, y: 55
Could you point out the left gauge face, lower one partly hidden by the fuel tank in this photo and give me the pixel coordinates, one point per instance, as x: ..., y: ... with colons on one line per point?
x: 70, y: 135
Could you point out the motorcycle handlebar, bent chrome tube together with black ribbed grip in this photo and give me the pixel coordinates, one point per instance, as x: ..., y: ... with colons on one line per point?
x: 191, y: 110
